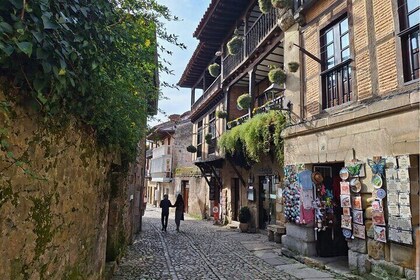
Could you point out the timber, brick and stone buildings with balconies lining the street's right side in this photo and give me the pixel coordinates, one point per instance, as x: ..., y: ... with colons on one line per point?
x: 354, y: 100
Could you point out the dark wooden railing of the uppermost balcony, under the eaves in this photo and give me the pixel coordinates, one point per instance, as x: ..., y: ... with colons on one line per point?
x: 256, y: 34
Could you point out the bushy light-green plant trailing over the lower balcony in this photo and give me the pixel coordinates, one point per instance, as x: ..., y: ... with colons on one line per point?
x: 258, y: 136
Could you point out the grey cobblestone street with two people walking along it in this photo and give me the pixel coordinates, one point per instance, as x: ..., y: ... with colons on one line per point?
x: 202, y: 250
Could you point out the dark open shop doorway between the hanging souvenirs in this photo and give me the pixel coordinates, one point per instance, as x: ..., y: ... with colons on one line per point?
x: 330, y: 240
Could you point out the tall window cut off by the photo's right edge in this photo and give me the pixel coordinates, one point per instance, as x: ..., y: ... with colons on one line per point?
x: 409, y: 16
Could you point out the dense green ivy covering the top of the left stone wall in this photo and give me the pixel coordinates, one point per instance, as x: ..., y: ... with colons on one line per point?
x: 94, y: 60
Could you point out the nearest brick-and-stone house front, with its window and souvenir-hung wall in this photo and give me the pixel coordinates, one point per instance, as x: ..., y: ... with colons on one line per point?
x: 370, y: 112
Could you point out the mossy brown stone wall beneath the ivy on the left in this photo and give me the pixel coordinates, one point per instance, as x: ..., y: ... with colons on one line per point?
x: 54, y: 199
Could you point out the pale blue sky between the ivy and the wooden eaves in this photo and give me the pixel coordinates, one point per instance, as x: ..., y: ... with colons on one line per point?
x: 190, y: 12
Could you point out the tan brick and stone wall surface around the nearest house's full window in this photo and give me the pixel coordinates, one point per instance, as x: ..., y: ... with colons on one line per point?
x: 381, y: 120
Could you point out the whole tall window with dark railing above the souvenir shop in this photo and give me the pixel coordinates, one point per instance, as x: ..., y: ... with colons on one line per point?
x: 335, y: 56
